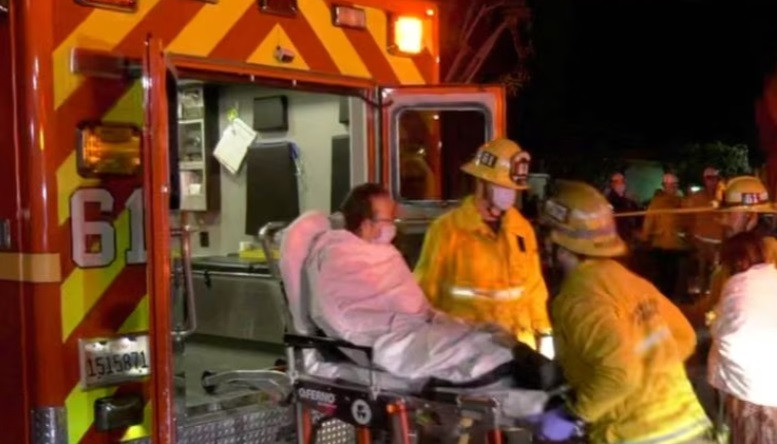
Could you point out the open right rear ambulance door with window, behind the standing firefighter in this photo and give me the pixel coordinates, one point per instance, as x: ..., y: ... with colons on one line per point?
x: 427, y: 134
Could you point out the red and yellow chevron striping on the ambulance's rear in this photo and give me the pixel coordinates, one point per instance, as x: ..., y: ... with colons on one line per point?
x: 103, y: 301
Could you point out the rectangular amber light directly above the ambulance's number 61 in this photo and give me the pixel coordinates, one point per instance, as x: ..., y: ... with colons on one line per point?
x: 108, y: 149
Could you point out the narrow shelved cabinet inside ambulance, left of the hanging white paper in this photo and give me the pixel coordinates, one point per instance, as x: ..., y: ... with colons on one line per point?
x: 198, y: 134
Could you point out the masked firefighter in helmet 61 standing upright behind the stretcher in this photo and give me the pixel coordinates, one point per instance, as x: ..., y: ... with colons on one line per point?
x: 480, y: 261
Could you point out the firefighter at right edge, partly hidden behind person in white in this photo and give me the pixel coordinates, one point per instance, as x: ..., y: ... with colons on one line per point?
x: 744, y: 199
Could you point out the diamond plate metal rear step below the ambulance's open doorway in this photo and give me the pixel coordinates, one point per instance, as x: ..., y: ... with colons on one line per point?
x: 246, y: 425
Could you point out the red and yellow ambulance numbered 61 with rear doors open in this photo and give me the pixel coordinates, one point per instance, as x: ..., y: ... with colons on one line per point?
x: 130, y: 209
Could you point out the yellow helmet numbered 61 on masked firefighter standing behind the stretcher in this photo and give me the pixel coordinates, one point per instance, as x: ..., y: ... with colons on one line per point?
x: 501, y: 162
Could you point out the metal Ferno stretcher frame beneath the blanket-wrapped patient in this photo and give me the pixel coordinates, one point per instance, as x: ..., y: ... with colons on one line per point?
x: 317, y: 400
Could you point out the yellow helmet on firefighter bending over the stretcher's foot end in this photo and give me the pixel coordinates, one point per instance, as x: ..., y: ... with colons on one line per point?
x: 582, y: 221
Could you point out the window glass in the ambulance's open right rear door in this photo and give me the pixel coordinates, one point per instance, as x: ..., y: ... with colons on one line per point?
x: 433, y: 144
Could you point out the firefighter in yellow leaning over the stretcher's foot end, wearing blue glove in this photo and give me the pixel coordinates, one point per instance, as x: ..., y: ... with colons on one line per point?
x: 620, y: 342
